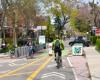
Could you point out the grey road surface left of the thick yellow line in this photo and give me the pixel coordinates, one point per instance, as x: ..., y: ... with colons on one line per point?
x: 21, y: 69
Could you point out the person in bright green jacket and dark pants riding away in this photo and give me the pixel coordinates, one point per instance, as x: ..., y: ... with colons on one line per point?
x: 58, y: 46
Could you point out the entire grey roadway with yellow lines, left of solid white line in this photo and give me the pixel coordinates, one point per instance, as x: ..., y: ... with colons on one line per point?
x: 41, y: 67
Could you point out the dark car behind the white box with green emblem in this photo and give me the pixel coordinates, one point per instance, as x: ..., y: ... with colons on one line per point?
x: 80, y: 39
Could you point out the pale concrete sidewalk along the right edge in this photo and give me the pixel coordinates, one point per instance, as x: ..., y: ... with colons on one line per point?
x: 93, y: 59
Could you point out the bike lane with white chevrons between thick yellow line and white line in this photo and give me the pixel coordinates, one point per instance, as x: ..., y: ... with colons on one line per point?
x: 50, y: 71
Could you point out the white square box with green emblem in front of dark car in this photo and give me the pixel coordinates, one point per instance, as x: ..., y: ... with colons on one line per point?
x: 77, y: 49
